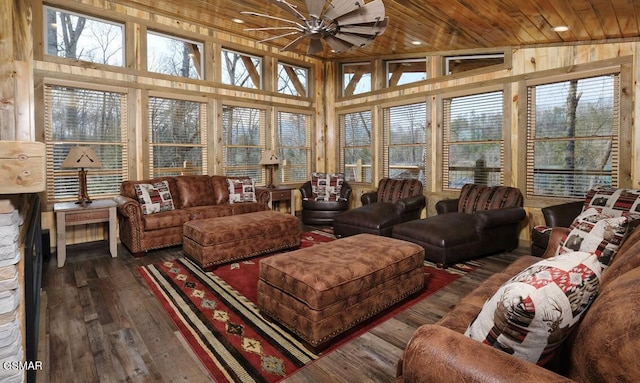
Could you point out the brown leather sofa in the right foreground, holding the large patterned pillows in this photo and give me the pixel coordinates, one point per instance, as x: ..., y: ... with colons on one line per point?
x: 603, y: 348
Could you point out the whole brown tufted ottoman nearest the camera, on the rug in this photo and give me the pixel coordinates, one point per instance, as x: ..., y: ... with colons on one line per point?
x: 322, y: 291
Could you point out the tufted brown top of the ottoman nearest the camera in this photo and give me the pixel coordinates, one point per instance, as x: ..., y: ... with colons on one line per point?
x: 324, y: 274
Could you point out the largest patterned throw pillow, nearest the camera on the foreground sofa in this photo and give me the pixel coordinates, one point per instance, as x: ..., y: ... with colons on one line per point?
x: 534, y: 312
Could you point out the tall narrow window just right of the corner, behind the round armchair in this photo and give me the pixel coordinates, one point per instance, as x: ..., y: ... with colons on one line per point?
x: 355, y: 144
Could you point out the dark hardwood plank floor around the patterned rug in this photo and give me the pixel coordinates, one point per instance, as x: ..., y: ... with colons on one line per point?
x: 102, y: 324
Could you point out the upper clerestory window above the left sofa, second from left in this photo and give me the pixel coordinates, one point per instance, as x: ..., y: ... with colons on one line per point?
x: 174, y: 56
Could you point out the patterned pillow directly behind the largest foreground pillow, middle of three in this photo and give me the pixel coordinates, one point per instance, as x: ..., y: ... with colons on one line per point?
x: 595, y: 232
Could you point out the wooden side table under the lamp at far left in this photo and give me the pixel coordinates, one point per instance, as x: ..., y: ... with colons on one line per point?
x: 72, y: 214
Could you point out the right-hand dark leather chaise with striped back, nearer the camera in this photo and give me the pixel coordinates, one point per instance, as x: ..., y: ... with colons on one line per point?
x: 483, y: 220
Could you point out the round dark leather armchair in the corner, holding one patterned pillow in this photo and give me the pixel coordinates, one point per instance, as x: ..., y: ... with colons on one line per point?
x: 321, y: 212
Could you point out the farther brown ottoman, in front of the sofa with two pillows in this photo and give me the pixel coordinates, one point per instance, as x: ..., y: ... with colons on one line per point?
x: 213, y: 241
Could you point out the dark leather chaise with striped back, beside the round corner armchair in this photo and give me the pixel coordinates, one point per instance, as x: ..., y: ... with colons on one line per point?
x: 395, y: 201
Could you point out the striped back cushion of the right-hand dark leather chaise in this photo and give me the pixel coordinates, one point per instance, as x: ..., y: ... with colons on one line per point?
x: 477, y: 198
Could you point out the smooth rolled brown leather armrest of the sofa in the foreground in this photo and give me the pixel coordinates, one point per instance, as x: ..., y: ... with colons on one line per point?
x: 438, y: 354
